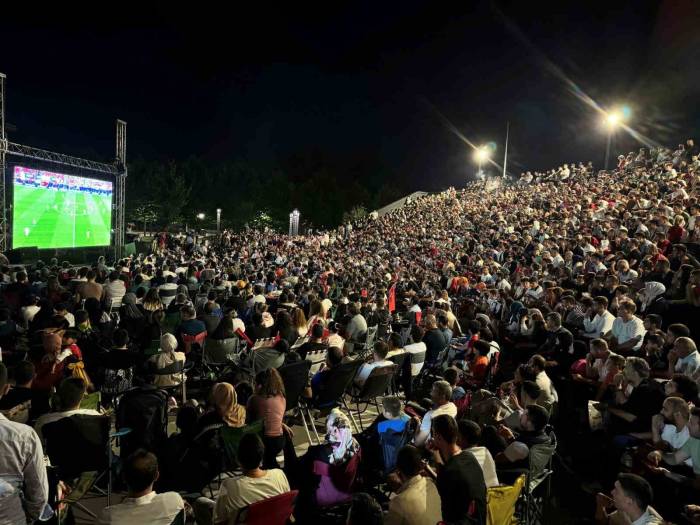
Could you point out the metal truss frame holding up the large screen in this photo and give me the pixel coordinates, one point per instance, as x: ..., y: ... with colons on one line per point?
x: 117, y: 169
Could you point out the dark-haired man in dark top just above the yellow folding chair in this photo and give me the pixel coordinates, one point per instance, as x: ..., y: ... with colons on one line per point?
x: 512, y: 450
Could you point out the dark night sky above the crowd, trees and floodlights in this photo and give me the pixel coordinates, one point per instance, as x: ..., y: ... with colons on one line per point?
x: 354, y: 78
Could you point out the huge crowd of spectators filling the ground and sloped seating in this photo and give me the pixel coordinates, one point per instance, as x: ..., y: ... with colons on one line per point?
x: 559, y: 311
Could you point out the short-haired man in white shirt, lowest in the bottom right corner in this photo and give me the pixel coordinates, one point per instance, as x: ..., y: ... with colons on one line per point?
x: 630, y: 503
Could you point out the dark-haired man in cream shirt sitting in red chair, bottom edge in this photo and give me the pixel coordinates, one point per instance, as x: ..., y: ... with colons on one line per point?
x: 236, y: 493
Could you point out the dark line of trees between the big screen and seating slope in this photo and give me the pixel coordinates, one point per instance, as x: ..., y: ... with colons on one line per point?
x: 326, y: 189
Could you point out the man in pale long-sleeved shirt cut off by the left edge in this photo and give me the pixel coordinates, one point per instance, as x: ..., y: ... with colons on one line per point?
x: 24, y: 489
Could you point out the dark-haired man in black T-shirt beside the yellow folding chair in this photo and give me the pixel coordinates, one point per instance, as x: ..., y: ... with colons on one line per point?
x: 460, y: 482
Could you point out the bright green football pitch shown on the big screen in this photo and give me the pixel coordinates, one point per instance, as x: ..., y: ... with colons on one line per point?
x: 49, y: 218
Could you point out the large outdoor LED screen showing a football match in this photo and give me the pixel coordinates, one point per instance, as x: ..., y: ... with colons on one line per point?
x: 54, y: 210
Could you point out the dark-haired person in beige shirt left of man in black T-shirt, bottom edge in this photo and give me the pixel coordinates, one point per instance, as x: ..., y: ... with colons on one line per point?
x: 417, y: 501
